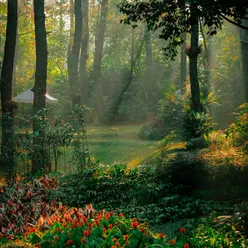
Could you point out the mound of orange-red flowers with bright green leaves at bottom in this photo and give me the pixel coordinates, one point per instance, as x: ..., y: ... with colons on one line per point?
x: 87, y: 228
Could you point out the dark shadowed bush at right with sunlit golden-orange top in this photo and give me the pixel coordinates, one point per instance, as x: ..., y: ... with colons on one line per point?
x: 196, y: 170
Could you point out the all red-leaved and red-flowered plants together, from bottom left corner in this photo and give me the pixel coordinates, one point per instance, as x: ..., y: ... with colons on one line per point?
x: 28, y: 218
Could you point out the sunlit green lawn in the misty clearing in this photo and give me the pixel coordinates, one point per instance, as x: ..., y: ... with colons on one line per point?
x: 118, y: 144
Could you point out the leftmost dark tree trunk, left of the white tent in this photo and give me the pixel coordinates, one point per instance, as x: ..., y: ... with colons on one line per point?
x: 6, y: 87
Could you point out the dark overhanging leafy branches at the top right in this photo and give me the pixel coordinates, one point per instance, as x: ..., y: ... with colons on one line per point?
x: 174, y: 17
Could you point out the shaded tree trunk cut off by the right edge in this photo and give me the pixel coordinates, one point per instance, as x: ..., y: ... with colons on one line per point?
x: 244, y: 56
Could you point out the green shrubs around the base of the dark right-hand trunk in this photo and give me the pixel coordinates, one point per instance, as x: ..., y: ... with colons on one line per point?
x: 174, y: 114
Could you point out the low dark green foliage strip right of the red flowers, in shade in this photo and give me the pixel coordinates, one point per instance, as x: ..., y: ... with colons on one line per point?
x: 170, y: 208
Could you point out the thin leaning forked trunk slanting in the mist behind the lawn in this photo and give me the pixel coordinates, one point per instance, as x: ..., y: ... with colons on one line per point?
x: 135, y: 56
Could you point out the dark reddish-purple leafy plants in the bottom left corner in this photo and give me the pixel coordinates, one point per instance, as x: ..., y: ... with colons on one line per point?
x: 23, y: 203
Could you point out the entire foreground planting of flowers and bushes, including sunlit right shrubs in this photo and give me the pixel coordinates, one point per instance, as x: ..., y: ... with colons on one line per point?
x: 190, y: 198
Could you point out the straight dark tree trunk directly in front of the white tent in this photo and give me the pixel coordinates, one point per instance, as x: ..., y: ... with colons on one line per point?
x: 40, y: 84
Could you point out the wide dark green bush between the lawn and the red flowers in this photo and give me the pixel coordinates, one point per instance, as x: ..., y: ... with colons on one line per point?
x: 112, y: 185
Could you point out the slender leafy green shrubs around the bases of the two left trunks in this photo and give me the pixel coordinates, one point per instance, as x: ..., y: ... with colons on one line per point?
x: 58, y: 137
